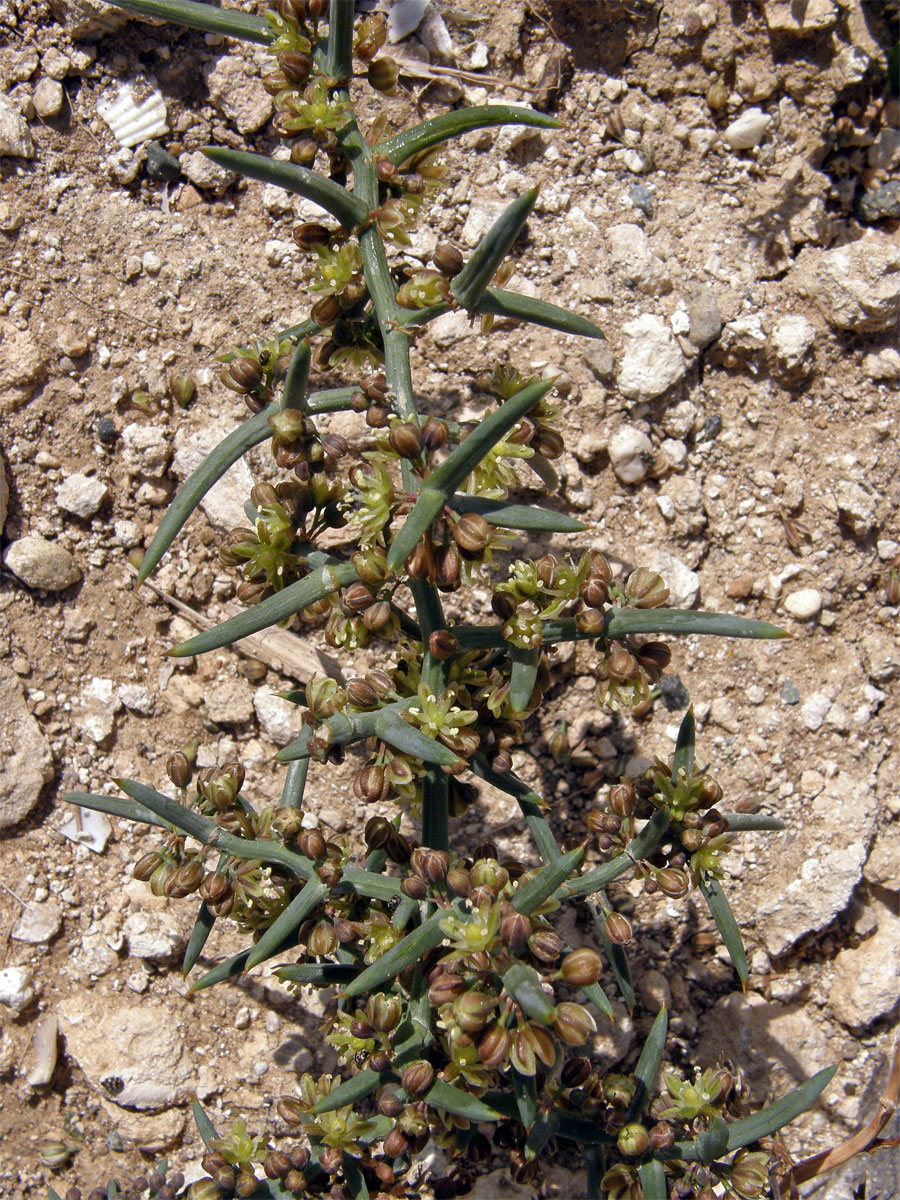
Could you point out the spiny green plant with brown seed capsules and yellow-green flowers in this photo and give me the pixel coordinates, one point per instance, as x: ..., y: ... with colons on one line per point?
x: 461, y: 1016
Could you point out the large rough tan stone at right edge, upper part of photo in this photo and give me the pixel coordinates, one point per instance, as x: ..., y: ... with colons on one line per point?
x: 855, y: 287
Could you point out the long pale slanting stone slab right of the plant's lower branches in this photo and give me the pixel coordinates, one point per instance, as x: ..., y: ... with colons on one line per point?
x: 844, y: 817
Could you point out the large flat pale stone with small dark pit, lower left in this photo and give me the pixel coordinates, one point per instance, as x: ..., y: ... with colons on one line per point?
x: 134, y: 1057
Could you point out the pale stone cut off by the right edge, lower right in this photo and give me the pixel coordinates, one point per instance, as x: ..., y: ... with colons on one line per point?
x: 867, y: 979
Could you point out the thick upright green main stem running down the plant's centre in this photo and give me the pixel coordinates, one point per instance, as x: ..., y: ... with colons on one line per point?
x: 430, y: 615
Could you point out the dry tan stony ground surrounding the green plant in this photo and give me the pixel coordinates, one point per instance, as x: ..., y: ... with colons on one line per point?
x: 719, y: 200
